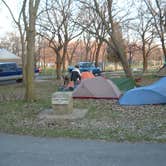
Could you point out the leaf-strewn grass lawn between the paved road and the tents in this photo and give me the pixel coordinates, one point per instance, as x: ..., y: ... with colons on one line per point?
x: 105, y: 120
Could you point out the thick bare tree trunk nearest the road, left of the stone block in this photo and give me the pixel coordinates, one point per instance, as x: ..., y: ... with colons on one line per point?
x: 28, y: 14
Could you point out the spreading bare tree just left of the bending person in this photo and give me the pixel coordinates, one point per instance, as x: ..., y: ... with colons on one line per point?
x: 59, y: 29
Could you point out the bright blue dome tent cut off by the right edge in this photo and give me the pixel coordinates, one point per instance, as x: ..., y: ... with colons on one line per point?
x: 152, y: 94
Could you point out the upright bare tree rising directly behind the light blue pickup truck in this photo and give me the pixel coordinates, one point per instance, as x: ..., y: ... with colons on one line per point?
x: 92, y: 24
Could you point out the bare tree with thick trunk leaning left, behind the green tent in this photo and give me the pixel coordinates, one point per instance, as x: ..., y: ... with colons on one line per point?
x: 108, y: 15
